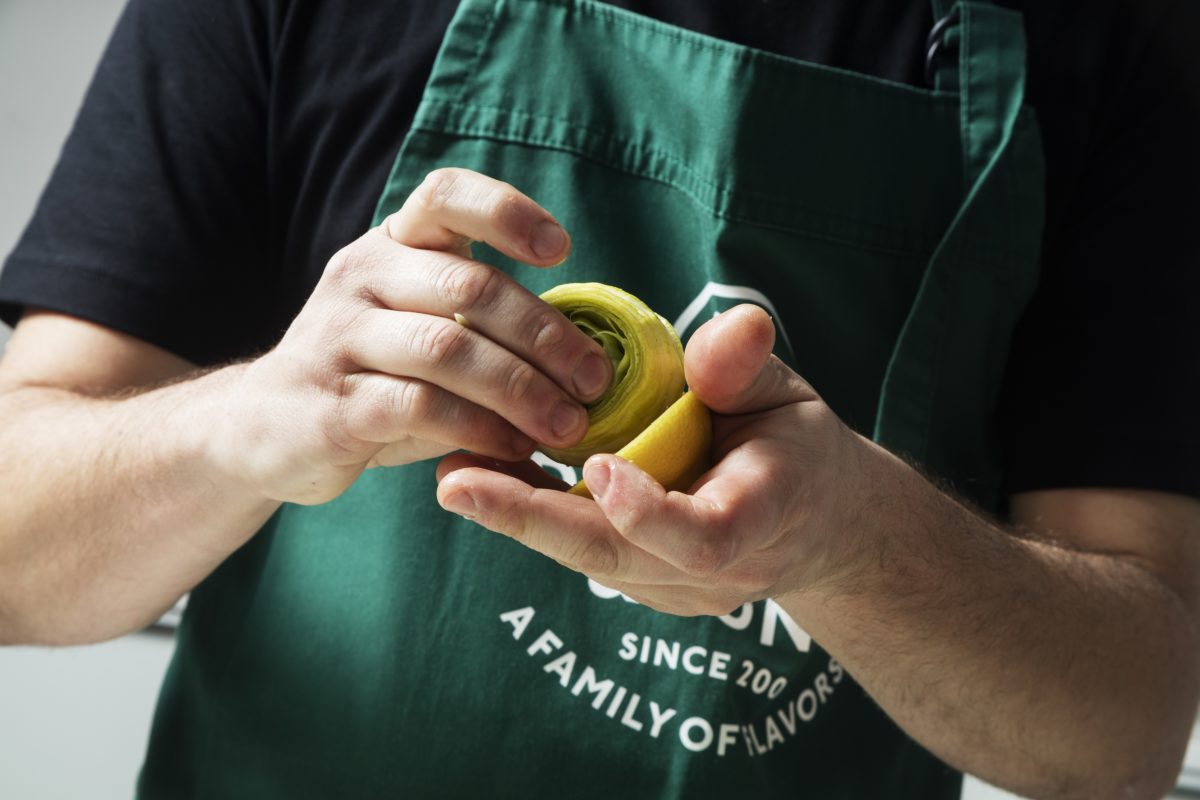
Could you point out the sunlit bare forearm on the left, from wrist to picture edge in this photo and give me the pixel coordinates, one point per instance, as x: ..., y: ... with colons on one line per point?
x: 112, y: 508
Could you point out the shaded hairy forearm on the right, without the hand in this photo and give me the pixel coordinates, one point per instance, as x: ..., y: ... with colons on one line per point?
x: 1010, y: 658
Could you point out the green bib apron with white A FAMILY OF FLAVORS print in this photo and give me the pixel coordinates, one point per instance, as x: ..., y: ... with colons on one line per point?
x: 377, y: 647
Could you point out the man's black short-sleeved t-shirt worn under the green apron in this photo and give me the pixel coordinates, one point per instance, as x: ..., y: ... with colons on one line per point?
x: 229, y: 148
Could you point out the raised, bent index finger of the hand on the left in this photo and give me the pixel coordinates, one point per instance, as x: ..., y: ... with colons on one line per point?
x: 452, y: 208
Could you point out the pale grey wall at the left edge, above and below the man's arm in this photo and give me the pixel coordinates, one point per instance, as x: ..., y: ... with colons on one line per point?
x: 74, y: 723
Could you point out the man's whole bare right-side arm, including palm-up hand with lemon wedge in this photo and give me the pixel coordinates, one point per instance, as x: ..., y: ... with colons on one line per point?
x: 1060, y: 661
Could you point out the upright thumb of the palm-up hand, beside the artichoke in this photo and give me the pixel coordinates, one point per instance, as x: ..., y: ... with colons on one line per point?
x: 730, y: 366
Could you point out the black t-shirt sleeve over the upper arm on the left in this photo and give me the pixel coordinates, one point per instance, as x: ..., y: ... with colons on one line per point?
x: 155, y: 220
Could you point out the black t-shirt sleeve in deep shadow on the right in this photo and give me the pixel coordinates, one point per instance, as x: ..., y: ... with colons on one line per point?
x: 1105, y: 377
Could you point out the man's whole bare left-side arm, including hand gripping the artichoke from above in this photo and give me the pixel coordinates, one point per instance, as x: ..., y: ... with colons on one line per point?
x: 121, y: 492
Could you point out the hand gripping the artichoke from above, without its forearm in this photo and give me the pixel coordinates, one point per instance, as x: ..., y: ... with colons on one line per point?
x: 376, y: 370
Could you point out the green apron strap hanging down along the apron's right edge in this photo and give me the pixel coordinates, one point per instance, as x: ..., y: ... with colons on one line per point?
x: 940, y: 390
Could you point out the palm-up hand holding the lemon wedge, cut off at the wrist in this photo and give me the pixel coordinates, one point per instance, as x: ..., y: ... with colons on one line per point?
x: 755, y: 526
